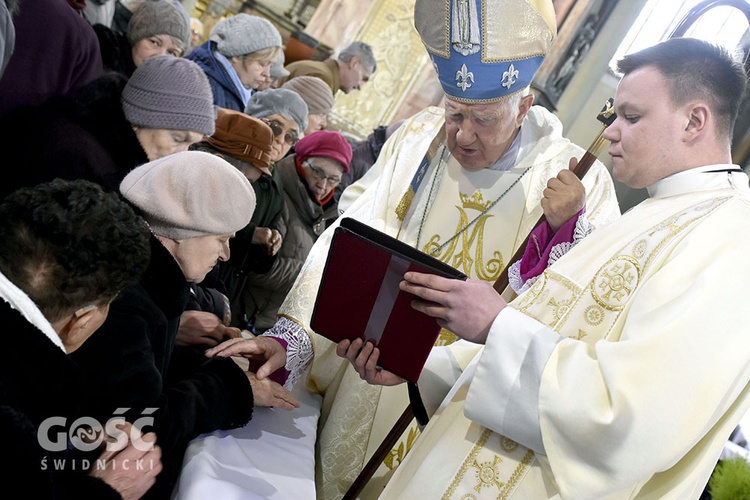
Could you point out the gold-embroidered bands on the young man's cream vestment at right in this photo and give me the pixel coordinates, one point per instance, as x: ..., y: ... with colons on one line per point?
x: 495, y: 465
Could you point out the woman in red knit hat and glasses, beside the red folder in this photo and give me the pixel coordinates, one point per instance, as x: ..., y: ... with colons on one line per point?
x: 308, y: 178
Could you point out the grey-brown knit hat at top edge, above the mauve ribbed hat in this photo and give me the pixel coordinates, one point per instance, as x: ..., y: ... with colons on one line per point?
x: 159, y: 17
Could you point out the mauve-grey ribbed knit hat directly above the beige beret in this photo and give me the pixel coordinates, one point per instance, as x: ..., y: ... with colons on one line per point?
x: 170, y: 93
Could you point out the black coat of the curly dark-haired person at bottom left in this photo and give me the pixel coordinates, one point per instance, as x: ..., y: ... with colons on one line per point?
x: 38, y: 381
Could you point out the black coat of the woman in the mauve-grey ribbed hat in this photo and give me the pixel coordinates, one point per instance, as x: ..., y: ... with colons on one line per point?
x: 84, y: 135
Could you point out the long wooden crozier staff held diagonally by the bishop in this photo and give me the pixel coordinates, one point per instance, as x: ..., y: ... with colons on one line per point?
x: 606, y: 116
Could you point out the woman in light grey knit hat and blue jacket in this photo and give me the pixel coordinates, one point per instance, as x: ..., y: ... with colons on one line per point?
x: 238, y: 57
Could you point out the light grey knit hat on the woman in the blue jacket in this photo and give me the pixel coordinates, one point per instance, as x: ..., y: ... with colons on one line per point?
x: 243, y: 34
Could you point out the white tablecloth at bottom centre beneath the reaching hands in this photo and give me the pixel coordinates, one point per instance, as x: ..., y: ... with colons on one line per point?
x: 272, y: 457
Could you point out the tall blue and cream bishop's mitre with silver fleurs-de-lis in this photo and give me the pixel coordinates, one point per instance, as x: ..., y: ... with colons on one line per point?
x: 485, y: 50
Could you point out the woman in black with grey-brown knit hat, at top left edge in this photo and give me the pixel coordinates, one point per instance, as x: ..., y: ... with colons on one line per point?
x: 158, y: 27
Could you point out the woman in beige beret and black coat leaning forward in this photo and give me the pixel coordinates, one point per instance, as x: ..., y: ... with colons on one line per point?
x: 133, y: 362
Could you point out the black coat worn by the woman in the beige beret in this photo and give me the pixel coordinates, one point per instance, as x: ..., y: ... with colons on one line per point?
x: 132, y: 362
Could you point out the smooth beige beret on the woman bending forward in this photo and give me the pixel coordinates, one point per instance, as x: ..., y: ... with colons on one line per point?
x: 190, y: 194
